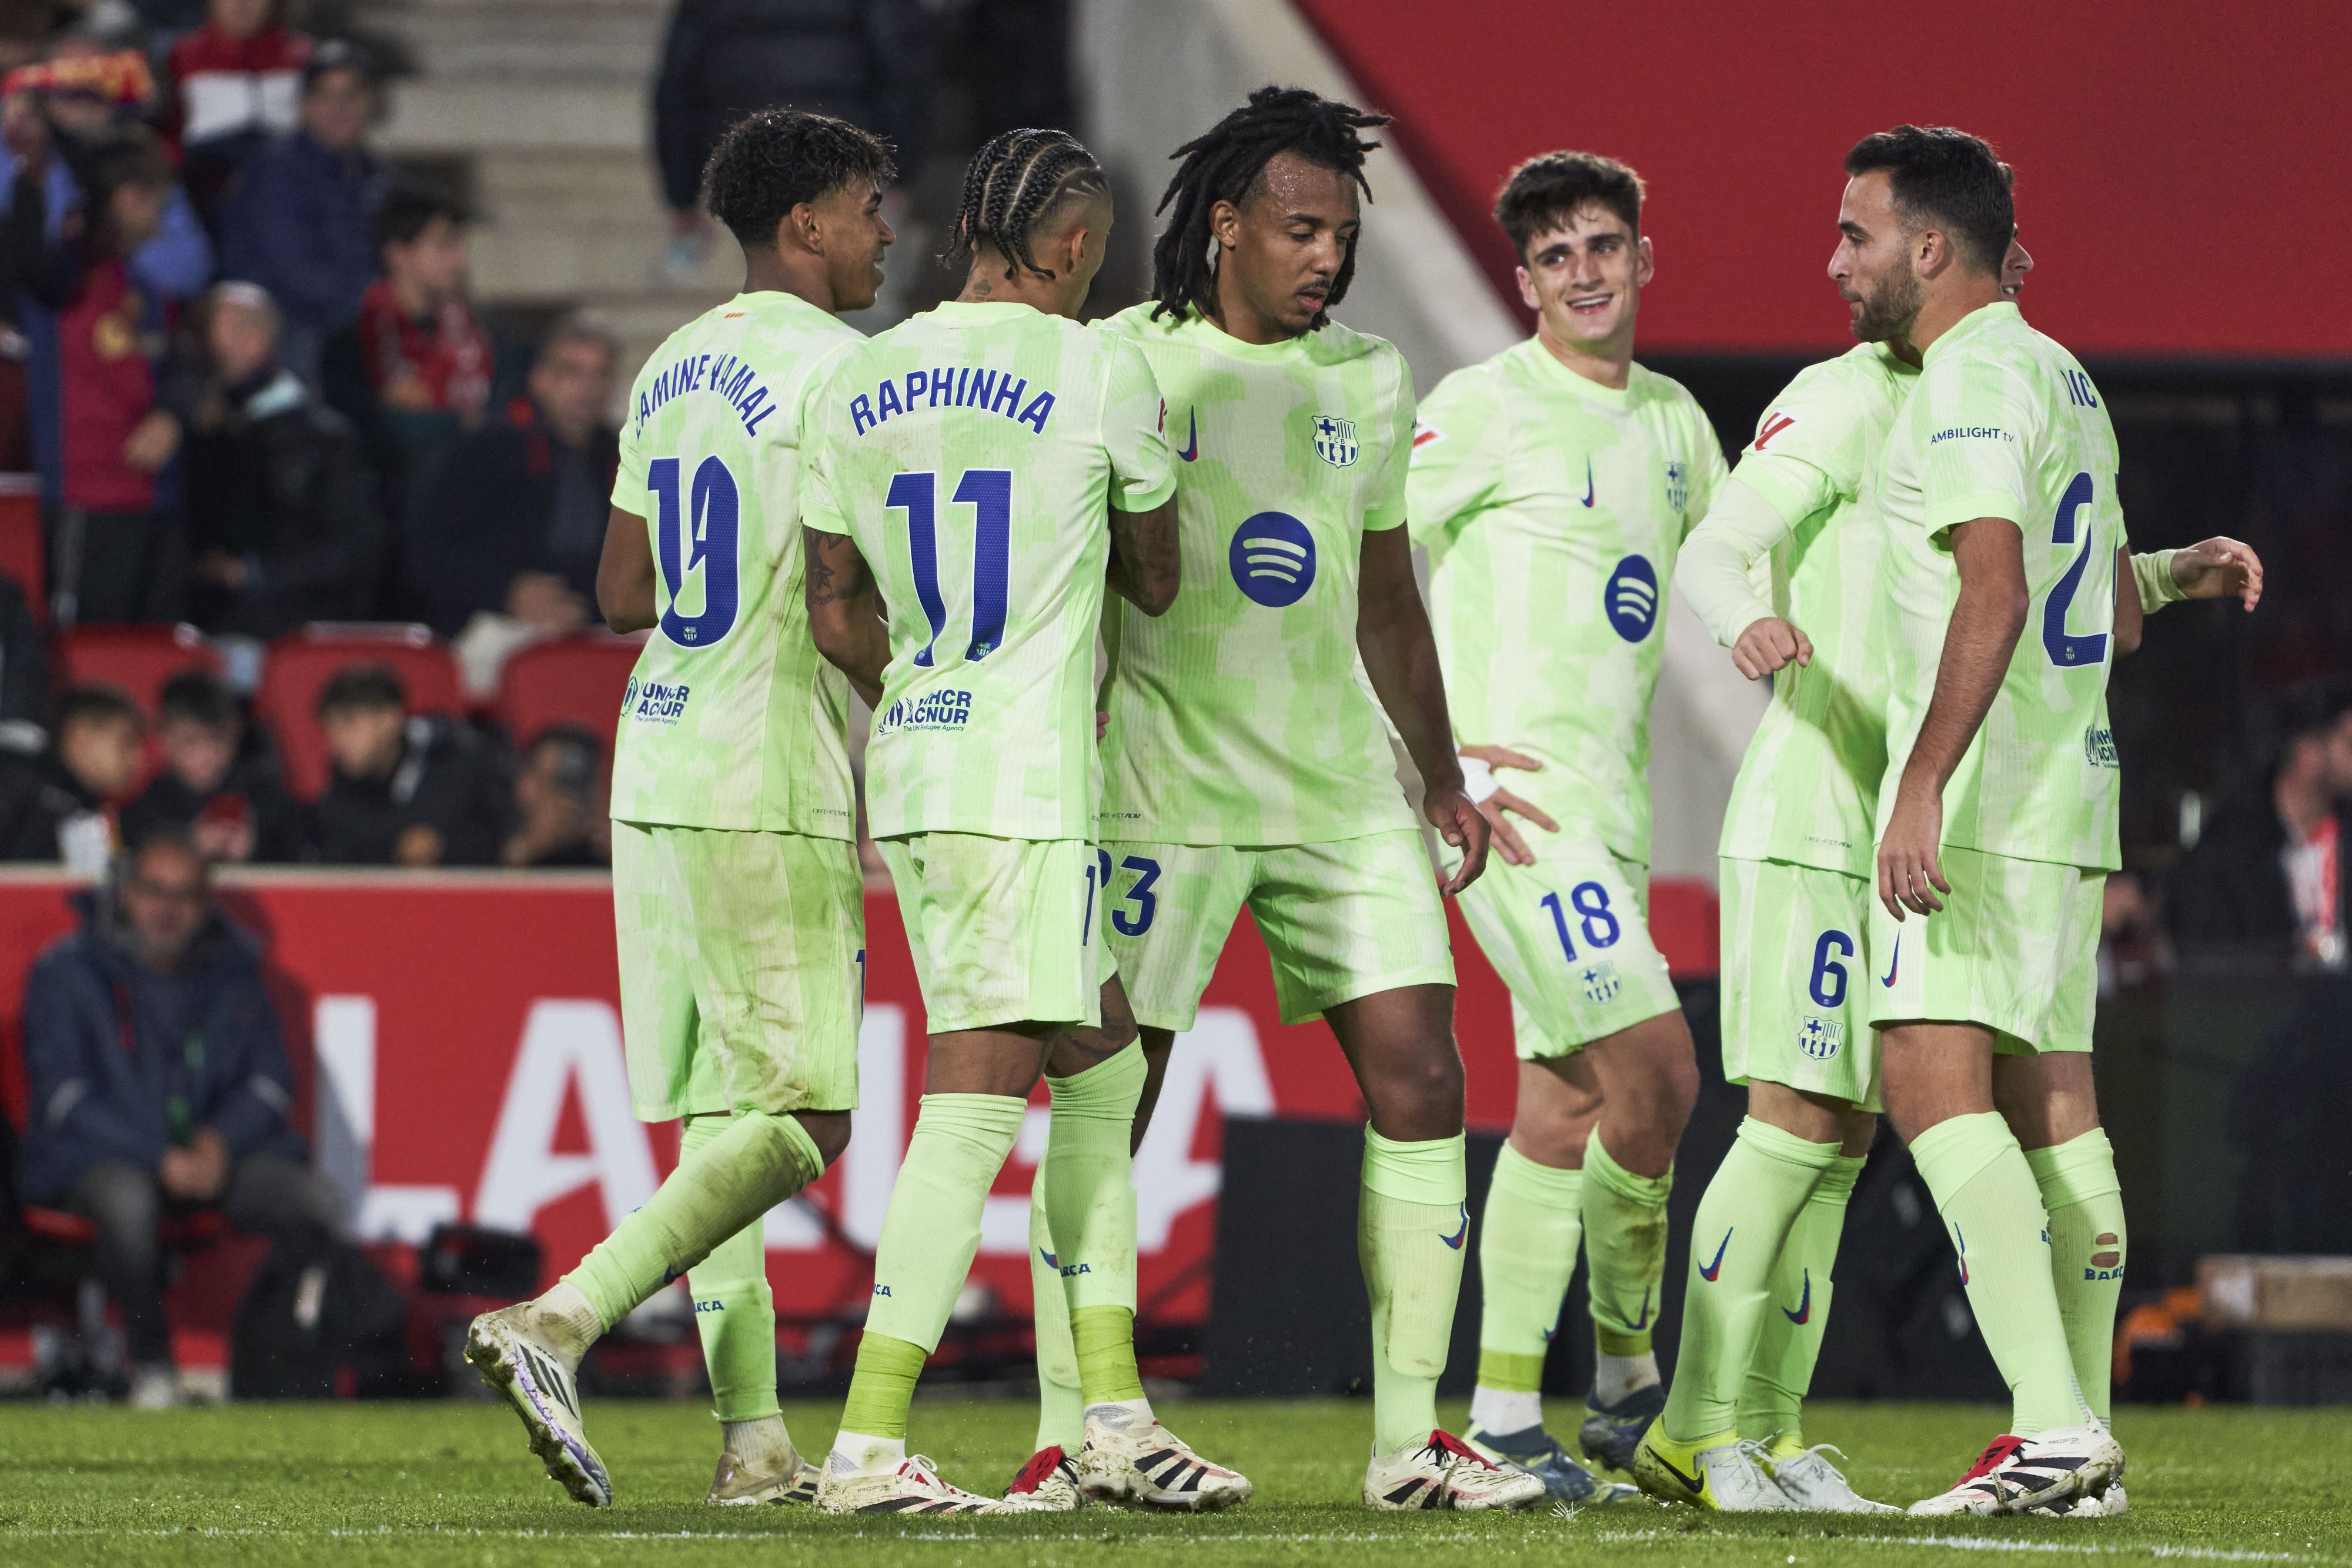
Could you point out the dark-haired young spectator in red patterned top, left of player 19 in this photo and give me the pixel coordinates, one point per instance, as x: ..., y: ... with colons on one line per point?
x: 415, y: 370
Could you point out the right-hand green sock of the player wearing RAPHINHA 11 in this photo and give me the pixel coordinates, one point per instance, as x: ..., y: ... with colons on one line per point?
x: 1093, y: 1205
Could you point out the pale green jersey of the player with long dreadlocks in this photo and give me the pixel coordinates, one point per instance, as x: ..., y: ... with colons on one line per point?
x: 1238, y: 716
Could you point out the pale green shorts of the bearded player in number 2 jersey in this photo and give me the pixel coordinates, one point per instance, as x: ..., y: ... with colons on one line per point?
x: 2014, y: 951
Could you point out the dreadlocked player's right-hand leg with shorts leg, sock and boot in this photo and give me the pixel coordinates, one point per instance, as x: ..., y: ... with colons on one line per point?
x: 1358, y: 937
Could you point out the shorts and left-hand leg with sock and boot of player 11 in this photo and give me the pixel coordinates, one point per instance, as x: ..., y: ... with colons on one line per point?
x: 1005, y: 960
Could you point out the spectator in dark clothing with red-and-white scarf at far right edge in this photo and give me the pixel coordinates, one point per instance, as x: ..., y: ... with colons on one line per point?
x: 2266, y: 878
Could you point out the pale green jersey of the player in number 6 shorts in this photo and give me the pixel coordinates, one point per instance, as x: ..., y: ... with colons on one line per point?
x: 1810, y: 786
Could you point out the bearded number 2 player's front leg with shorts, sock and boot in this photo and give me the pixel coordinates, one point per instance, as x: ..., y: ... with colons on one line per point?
x: 1989, y: 965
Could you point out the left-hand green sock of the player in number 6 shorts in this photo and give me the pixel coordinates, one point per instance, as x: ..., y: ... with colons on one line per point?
x: 1737, y: 1240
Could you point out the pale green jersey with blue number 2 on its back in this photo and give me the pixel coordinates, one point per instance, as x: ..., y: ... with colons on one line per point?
x: 2007, y: 424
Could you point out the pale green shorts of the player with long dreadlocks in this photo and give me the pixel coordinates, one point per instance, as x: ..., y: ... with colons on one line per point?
x: 1342, y: 920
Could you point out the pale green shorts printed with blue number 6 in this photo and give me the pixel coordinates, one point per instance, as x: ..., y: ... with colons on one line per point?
x: 1793, y: 974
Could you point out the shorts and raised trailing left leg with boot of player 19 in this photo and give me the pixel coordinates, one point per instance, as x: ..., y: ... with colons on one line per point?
x: 775, y: 1003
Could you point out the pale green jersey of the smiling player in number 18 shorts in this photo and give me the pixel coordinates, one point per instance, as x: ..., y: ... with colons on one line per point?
x: 1553, y: 511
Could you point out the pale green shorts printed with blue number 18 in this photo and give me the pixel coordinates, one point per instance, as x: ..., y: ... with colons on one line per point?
x: 1570, y: 937
